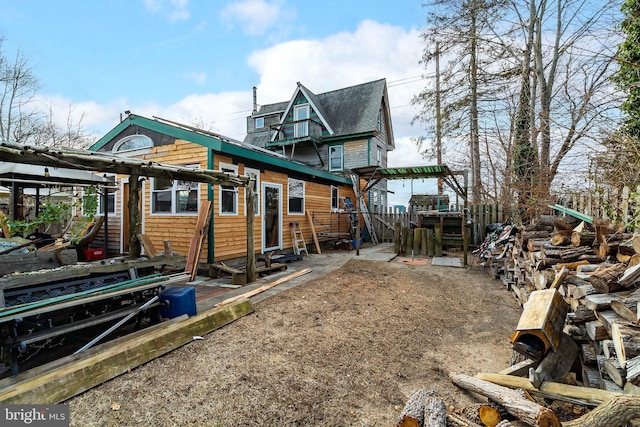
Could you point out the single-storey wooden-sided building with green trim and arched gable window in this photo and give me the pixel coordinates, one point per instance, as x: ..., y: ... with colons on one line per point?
x: 285, y: 190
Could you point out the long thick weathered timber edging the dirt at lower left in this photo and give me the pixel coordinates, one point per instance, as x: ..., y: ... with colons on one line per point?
x: 87, y: 372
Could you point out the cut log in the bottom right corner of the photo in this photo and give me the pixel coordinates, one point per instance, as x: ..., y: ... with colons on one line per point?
x: 617, y: 411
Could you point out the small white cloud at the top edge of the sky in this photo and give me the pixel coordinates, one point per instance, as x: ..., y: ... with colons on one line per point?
x: 257, y: 16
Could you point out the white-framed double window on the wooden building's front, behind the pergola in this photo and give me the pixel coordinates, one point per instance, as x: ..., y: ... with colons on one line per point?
x: 174, y: 197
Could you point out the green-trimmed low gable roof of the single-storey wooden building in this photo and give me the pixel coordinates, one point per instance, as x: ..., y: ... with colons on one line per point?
x: 218, y: 144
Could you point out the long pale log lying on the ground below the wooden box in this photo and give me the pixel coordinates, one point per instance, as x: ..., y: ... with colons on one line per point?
x: 521, y: 408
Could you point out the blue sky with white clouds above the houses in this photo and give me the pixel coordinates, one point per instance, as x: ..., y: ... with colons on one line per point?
x: 196, y: 61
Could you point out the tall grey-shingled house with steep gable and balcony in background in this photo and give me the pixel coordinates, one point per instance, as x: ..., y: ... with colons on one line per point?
x: 334, y: 131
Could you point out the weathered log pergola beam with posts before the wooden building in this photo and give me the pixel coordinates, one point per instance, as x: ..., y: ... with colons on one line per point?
x: 71, y: 159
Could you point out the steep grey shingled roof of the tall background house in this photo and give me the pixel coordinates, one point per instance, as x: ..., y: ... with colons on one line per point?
x: 351, y: 110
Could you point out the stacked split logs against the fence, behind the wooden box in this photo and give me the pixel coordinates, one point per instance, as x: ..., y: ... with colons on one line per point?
x: 594, y: 273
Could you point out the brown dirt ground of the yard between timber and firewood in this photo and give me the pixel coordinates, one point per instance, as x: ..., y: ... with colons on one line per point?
x: 345, y: 349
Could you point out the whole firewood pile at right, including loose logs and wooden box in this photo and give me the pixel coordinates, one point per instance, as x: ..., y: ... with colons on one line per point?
x: 578, y: 338
